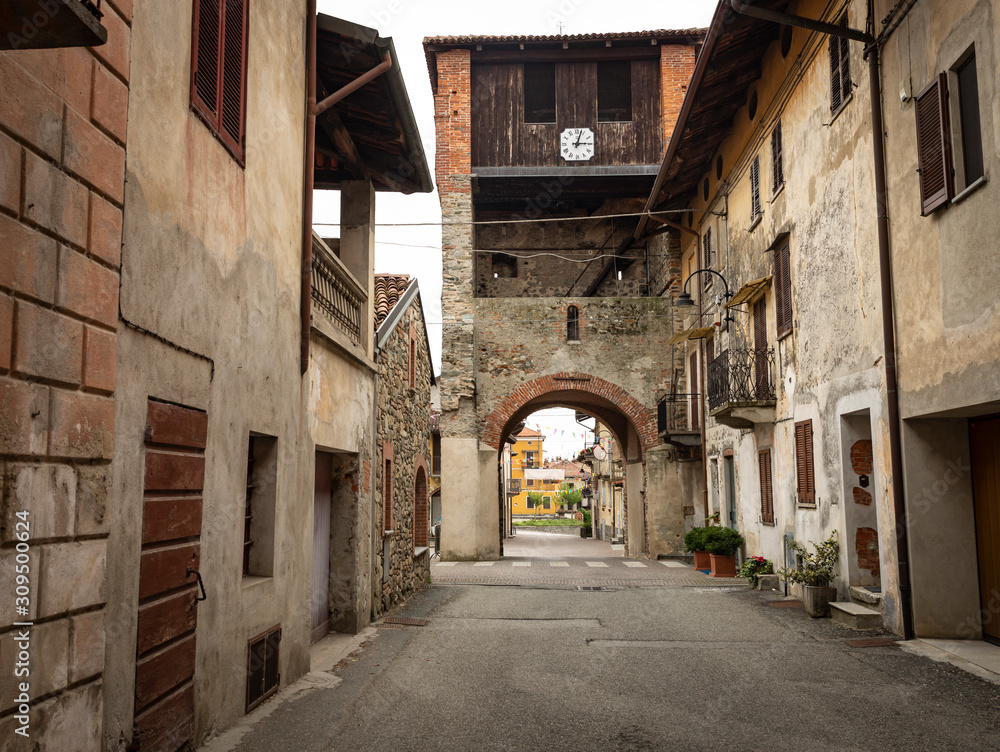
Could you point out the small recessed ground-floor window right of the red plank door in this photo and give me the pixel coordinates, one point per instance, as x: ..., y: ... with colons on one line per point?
x: 258, y: 518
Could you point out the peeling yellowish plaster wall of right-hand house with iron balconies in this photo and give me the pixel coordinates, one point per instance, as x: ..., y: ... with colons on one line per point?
x: 830, y: 364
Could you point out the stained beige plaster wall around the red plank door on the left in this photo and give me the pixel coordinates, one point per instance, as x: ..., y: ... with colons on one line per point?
x: 210, y: 269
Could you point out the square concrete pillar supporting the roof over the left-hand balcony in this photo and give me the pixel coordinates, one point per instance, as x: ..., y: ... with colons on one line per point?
x: 357, y: 246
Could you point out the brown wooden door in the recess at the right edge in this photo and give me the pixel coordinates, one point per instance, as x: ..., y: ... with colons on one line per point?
x: 985, y: 451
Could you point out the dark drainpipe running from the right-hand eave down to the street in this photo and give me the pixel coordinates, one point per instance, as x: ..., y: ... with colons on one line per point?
x: 885, y: 274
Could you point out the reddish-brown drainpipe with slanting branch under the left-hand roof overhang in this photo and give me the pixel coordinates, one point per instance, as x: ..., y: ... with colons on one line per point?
x: 312, y: 111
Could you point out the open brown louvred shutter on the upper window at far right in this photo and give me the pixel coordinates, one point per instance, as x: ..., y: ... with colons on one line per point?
x: 934, y: 146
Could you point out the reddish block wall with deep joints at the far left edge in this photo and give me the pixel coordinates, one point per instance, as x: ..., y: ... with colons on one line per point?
x: 62, y: 162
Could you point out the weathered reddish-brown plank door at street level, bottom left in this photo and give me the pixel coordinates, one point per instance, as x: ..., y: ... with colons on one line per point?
x: 168, y: 585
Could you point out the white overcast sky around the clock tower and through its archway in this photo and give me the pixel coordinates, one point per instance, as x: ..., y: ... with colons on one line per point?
x: 408, y: 22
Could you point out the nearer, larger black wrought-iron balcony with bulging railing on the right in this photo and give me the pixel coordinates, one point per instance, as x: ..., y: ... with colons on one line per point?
x: 741, y: 387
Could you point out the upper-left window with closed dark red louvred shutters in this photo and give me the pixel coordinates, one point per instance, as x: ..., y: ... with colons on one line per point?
x: 219, y: 69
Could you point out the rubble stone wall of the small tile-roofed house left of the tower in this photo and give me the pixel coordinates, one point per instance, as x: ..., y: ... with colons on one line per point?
x: 402, y: 420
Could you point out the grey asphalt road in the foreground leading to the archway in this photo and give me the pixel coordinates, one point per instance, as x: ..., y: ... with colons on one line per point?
x: 690, y: 667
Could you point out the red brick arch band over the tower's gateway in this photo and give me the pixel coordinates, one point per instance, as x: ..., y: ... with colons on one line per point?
x: 642, y: 419
